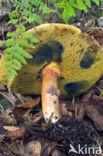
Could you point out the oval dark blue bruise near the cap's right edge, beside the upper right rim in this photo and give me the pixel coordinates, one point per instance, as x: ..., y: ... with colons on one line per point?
x: 87, y: 60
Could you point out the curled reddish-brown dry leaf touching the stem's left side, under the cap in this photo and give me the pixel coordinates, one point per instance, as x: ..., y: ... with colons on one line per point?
x: 23, y: 109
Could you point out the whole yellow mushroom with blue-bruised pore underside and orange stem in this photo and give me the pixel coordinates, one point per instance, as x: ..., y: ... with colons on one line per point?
x: 64, y: 58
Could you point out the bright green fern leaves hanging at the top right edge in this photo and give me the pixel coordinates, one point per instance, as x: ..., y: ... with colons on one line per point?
x: 69, y: 7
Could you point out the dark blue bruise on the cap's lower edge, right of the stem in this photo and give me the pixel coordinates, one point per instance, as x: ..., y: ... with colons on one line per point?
x: 75, y: 88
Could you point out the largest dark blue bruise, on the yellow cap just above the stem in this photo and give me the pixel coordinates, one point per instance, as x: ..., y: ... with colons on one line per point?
x: 47, y: 52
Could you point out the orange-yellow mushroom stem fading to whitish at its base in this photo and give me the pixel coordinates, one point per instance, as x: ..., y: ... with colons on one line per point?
x: 50, y: 93
